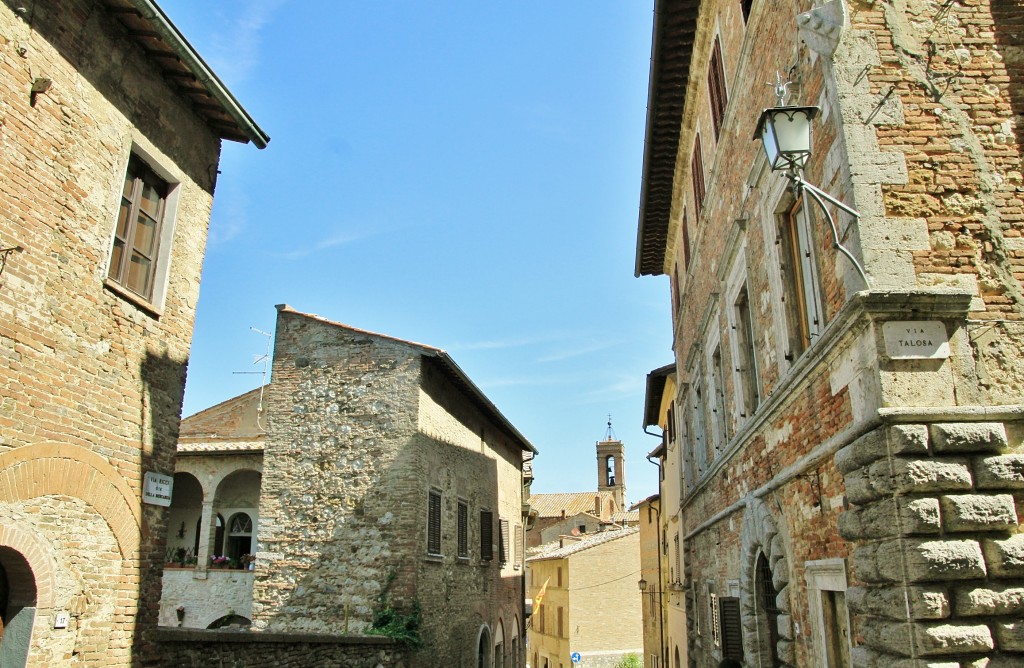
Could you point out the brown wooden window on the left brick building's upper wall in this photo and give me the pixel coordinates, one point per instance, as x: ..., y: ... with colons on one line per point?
x: 138, y: 234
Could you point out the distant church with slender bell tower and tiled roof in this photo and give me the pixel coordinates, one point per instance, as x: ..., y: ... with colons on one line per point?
x: 579, y: 513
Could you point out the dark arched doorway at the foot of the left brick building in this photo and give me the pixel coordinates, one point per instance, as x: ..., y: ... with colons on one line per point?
x: 18, y: 608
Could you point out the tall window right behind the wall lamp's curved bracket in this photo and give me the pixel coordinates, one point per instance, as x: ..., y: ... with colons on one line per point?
x: 799, y: 269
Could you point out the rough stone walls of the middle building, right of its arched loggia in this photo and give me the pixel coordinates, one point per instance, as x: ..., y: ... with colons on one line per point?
x: 361, y: 429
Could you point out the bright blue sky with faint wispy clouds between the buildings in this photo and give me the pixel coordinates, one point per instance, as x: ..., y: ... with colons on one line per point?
x: 461, y: 175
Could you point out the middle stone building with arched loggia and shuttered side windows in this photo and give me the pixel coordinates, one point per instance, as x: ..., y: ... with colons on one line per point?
x: 370, y: 474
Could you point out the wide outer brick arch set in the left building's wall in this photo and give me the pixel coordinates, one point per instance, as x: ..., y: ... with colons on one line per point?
x: 53, y: 469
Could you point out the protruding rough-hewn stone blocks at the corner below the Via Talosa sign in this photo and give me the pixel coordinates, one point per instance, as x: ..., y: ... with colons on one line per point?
x: 941, y: 560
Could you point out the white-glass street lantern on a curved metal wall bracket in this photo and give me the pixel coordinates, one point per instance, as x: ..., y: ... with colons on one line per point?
x: 786, y: 136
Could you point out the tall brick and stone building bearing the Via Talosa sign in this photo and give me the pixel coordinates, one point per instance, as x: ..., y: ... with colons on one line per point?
x: 846, y: 427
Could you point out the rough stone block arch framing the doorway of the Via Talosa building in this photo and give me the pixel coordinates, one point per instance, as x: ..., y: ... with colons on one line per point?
x: 761, y: 535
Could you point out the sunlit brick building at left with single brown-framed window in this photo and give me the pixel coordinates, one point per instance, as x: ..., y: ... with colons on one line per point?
x: 110, y: 140
